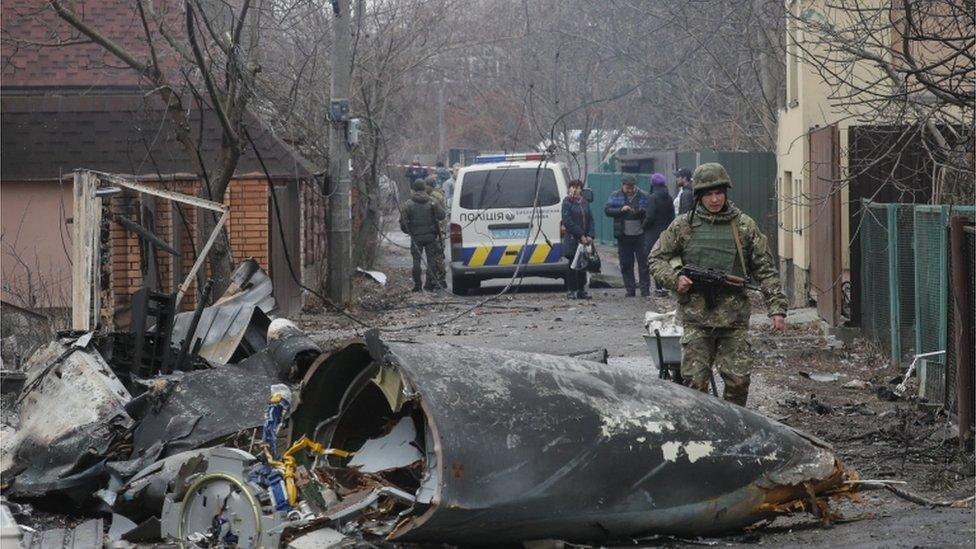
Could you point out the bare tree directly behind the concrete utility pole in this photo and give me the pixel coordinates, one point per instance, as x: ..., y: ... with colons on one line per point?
x: 394, y: 43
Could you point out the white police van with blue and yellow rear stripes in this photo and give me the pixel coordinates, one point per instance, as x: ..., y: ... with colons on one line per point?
x: 505, y: 215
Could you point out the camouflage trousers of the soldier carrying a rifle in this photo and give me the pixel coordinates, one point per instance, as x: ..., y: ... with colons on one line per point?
x: 727, y: 349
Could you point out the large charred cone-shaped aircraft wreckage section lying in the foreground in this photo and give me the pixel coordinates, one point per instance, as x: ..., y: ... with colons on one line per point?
x: 533, y: 446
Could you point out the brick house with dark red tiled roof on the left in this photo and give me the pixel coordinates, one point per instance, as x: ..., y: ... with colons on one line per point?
x: 65, y: 112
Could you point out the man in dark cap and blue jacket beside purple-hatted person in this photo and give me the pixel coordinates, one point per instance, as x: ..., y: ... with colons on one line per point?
x: 627, y: 207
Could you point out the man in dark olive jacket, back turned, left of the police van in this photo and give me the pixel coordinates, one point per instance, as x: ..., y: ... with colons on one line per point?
x: 420, y: 217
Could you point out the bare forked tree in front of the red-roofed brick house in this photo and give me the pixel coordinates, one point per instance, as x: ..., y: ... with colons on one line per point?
x: 208, y: 54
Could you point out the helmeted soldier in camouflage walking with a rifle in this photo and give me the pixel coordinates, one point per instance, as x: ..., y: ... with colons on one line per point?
x: 715, y: 234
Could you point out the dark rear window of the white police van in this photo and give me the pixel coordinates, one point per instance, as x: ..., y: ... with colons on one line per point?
x: 508, y: 188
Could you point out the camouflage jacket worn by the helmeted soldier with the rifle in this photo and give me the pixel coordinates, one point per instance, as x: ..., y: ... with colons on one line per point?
x: 732, y: 307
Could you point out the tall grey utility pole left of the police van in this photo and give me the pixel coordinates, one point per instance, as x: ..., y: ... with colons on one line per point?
x: 339, y: 277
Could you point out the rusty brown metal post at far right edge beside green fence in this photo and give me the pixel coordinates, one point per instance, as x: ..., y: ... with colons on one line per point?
x: 962, y: 338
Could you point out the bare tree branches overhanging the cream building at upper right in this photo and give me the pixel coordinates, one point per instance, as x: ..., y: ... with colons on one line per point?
x: 906, y: 64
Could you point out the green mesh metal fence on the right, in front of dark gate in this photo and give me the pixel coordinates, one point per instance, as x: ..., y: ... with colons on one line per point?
x: 904, y: 276
